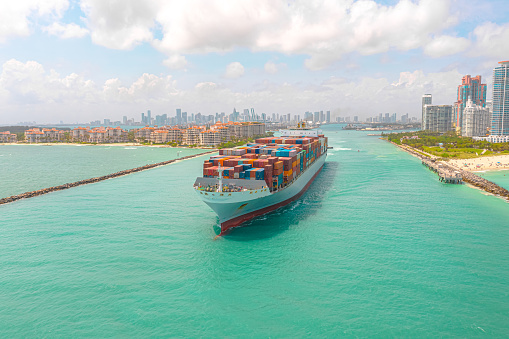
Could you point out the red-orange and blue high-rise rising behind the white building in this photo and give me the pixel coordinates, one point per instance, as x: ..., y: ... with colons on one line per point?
x: 470, y: 88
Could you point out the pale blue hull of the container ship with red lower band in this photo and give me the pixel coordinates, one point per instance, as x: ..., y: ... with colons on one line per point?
x: 233, y: 211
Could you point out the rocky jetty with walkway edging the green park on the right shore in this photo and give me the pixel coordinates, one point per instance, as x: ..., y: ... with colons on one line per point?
x: 469, y: 177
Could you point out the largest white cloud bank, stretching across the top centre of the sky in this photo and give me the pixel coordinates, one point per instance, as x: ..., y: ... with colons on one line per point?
x: 325, y: 30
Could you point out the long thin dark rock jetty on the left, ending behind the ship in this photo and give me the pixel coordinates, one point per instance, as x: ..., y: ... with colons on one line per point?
x: 96, y: 179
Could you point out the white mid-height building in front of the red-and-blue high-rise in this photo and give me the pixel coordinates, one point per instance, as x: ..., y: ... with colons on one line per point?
x: 476, y: 120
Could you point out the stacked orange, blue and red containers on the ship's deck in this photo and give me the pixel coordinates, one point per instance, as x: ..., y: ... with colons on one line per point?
x: 278, y: 161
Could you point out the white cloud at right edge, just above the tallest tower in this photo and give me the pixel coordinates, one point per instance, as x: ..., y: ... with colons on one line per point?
x: 492, y: 40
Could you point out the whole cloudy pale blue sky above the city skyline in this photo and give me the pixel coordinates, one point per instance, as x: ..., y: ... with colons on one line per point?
x: 78, y: 61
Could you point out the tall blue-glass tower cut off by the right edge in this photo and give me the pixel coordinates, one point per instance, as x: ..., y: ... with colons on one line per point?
x: 500, y: 115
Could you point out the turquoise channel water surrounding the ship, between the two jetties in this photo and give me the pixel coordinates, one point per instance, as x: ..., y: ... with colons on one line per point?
x: 377, y: 247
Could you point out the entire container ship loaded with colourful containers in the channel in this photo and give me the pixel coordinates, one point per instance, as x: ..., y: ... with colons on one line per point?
x: 245, y: 182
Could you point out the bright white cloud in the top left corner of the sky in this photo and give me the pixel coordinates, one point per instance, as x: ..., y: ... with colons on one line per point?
x: 14, y: 15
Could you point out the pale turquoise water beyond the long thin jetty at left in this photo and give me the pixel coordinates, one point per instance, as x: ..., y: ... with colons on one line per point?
x: 26, y: 168
